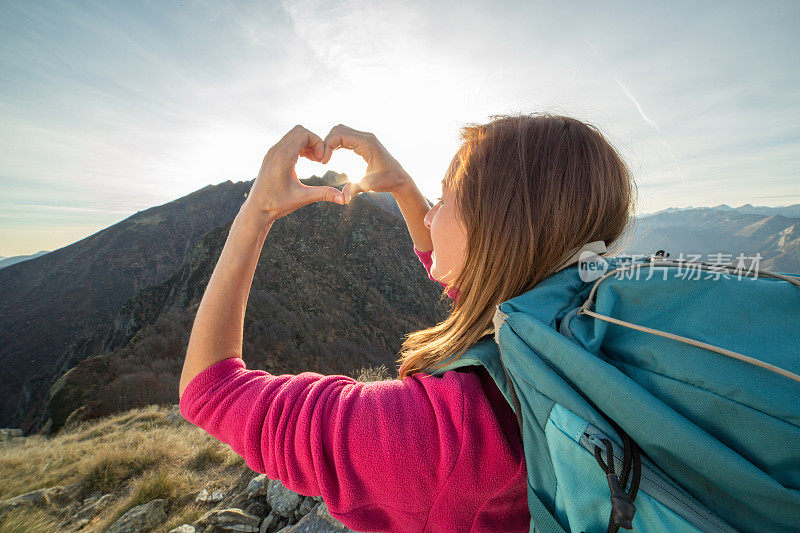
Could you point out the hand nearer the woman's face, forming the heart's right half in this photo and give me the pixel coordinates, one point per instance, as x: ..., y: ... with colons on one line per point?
x: 384, y: 173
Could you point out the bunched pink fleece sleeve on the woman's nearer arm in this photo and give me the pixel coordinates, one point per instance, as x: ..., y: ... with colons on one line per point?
x: 378, y: 453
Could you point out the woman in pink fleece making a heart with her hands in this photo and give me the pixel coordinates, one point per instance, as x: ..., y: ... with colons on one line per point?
x: 419, y: 453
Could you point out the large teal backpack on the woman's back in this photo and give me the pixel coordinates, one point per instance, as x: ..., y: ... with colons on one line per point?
x: 653, y: 400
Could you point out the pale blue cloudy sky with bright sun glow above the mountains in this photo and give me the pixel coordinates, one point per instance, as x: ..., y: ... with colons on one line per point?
x: 108, y: 108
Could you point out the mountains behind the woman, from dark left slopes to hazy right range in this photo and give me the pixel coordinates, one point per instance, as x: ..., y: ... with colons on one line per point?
x: 101, y: 325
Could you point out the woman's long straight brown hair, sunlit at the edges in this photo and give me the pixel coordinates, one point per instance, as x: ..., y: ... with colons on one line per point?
x: 530, y: 189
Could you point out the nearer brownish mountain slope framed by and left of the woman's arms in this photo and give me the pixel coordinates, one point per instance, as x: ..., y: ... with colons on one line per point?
x: 336, y: 289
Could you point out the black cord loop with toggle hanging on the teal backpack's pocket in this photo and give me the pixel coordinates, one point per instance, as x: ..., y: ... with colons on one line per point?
x: 622, y: 507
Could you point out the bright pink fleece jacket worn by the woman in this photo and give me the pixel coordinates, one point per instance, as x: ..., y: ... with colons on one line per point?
x: 424, y: 453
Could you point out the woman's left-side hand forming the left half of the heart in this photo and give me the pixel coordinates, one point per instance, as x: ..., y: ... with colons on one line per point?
x: 276, y: 191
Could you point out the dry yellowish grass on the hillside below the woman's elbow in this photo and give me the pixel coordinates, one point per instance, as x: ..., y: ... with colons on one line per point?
x: 138, y: 456
